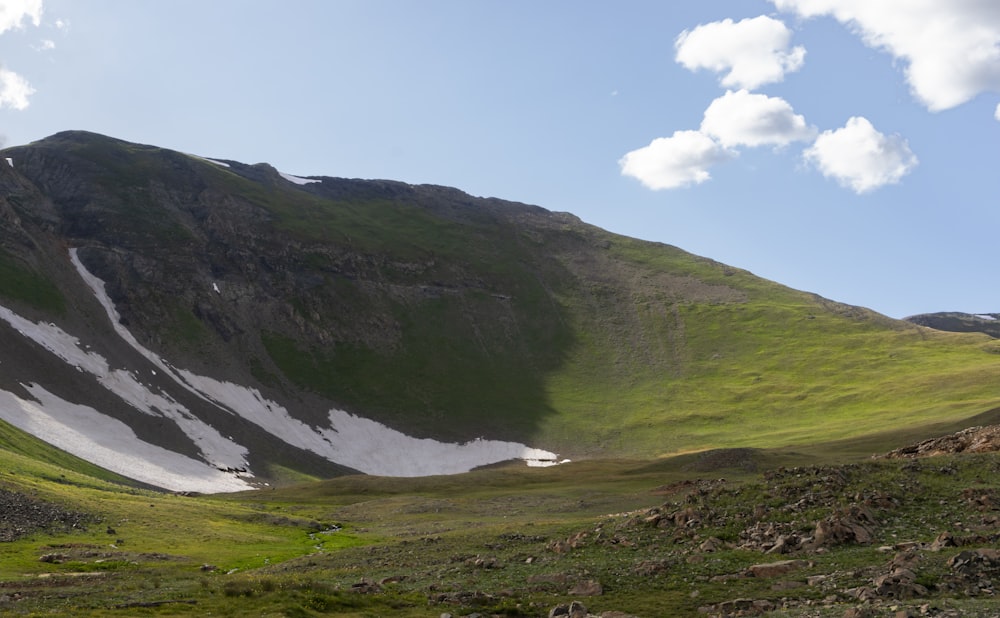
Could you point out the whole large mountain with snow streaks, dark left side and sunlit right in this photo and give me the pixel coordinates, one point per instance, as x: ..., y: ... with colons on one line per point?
x: 204, y: 324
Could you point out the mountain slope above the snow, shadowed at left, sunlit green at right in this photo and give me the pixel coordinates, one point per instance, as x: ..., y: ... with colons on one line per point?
x: 450, y: 316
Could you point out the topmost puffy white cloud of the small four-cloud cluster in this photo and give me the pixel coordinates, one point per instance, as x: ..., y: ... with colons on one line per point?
x: 752, y: 52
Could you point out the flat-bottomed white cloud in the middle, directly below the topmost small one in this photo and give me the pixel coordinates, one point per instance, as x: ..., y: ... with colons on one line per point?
x: 744, y: 119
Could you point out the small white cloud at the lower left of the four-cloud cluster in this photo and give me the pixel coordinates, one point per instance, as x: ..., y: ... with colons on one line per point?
x: 677, y: 161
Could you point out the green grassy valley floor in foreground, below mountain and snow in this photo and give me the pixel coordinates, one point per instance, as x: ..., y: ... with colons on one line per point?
x: 504, y: 541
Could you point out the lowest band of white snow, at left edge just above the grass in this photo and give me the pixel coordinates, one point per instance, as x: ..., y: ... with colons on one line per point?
x: 111, y: 444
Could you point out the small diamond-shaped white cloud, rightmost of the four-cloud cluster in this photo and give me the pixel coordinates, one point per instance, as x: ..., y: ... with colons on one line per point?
x: 860, y: 157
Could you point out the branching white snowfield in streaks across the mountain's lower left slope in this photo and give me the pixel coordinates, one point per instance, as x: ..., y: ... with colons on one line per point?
x: 350, y: 440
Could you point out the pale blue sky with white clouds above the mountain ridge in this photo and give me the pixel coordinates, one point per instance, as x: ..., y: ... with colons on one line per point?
x: 849, y: 148
